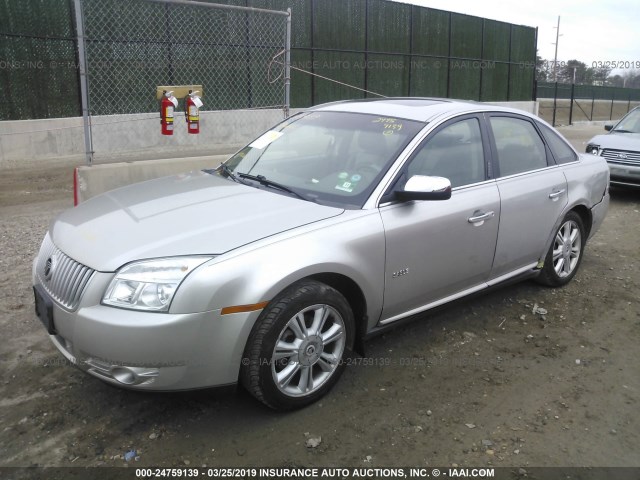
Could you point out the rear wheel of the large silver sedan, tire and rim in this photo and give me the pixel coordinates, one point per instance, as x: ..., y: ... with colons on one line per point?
x: 565, y: 253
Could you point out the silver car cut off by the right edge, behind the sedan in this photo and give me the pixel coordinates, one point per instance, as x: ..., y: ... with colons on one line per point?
x: 621, y: 149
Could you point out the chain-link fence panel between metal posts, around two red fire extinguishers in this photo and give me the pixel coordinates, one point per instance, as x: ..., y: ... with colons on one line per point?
x: 237, y: 55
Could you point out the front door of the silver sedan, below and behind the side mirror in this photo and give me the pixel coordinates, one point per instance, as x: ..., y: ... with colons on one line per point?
x: 438, y: 249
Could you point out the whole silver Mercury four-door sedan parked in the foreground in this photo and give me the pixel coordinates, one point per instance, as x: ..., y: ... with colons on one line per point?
x: 327, y: 229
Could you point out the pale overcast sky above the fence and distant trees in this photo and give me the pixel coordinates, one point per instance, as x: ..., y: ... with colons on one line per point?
x: 592, y: 31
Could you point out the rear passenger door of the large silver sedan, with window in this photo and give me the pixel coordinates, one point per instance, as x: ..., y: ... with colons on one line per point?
x: 533, y: 193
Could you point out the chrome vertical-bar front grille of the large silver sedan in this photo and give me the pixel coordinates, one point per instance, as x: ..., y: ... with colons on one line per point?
x: 62, y: 277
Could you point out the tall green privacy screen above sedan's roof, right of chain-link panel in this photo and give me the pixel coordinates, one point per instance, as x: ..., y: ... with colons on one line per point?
x: 396, y: 49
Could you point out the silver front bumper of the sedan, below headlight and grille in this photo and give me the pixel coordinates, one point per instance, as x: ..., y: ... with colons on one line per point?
x: 148, y: 350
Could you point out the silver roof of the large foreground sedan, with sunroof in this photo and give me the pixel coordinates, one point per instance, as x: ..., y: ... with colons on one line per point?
x: 413, y: 108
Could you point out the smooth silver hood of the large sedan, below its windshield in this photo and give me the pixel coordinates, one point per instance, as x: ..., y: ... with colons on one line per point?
x: 190, y: 214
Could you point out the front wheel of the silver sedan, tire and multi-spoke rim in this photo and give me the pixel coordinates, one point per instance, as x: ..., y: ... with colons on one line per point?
x: 295, y: 351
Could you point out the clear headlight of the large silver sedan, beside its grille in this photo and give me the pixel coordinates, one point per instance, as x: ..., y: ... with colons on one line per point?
x: 150, y: 284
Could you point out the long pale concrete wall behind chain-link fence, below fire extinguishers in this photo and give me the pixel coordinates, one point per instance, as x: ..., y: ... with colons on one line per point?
x: 129, y: 137
